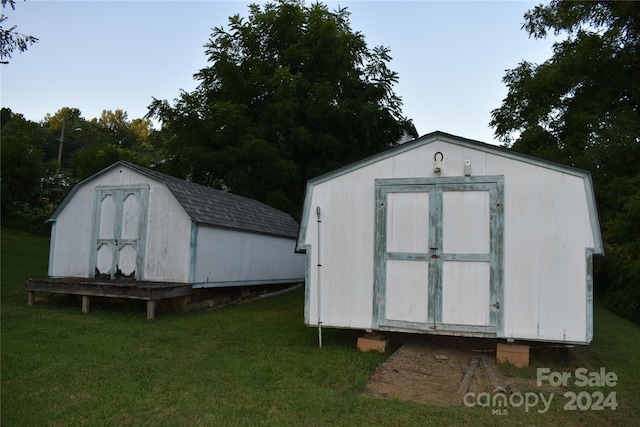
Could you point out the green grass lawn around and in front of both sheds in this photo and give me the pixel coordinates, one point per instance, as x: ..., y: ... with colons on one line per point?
x: 252, y: 364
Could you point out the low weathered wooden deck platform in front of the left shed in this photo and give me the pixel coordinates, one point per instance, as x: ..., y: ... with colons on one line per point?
x: 85, y: 287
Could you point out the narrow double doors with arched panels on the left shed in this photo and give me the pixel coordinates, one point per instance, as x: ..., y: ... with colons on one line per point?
x: 120, y: 216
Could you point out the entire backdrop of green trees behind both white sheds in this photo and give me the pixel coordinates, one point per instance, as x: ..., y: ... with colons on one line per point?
x: 292, y: 92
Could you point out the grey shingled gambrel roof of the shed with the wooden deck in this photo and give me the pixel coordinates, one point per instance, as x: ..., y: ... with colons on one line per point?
x: 209, y: 206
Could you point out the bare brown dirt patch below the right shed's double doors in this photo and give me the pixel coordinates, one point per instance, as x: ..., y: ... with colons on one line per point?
x: 440, y: 370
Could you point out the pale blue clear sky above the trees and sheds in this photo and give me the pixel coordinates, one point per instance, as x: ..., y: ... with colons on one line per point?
x: 450, y: 56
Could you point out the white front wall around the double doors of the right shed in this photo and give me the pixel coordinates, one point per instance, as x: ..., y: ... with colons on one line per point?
x: 547, y: 229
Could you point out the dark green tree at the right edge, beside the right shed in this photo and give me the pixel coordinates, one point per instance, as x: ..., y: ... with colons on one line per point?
x: 582, y: 107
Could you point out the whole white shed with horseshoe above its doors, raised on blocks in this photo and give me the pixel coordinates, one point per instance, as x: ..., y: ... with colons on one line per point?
x: 447, y: 235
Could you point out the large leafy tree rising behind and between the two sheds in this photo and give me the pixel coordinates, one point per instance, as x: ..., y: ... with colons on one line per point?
x: 291, y: 92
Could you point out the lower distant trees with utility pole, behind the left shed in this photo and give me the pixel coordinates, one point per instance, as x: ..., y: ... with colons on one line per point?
x: 41, y: 161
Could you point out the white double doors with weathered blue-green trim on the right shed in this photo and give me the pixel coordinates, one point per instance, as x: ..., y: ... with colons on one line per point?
x: 438, y: 254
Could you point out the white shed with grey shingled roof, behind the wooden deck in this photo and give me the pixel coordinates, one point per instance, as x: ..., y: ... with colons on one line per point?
x: 132, y: 223
